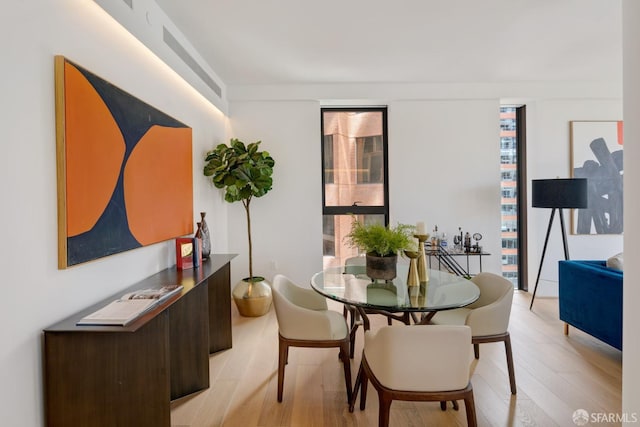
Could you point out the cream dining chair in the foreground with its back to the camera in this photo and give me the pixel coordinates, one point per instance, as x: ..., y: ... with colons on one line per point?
x: 416, y: 363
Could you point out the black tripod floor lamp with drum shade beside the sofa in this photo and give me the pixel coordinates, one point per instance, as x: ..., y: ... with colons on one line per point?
x: 557, y: 194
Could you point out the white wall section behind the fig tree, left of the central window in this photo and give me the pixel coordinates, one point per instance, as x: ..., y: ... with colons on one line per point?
x: 287, y: 221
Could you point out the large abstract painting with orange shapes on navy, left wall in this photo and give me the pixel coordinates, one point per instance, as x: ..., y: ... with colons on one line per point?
x: 125, y: 174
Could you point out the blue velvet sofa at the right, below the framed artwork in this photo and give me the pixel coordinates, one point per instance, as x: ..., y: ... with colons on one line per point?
x: 590, y: 299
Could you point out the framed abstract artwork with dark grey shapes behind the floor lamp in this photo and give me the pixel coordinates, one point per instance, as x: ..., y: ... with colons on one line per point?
x: 596, y: 154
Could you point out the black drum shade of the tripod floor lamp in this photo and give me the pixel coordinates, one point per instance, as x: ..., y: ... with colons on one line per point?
x: 559, y: 193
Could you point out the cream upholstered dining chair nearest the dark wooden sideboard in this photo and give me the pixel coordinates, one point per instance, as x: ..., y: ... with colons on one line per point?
x: 305, y: 321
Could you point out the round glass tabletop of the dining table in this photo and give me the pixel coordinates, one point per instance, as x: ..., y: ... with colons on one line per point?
x: 443, y: 291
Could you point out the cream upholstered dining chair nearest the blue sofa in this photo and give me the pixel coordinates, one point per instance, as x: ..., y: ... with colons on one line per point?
x: 488, y: 317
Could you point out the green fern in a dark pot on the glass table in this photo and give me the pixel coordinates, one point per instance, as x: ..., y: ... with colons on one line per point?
x: 381, y: 245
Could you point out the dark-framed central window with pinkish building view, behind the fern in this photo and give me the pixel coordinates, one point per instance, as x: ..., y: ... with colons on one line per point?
x: 354, y: 175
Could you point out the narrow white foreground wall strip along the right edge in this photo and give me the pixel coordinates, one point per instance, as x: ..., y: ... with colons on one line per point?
x: 631, y: 315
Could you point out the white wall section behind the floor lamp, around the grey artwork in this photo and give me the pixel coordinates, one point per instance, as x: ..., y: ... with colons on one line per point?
x: 548, y: 156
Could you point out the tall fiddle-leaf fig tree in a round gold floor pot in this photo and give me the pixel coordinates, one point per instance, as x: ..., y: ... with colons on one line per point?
x: 244, y: 172
